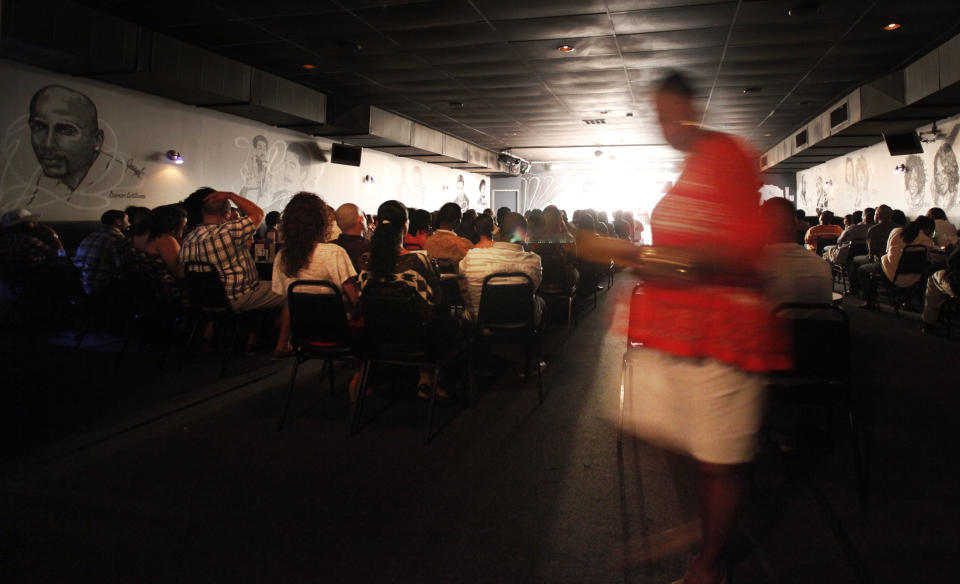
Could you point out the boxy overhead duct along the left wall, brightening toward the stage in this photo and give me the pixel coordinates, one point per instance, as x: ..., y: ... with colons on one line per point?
x: 377, y: 129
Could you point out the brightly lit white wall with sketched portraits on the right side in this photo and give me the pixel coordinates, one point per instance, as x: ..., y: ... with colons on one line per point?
x: 865, y: 178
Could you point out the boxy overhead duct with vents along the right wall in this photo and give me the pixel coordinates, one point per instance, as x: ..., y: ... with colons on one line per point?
x: 924, y: 92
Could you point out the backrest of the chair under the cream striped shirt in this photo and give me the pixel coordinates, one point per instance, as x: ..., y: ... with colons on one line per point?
x: 506, y: 302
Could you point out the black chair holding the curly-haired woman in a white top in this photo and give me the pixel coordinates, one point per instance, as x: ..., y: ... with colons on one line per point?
x: 318, y: 330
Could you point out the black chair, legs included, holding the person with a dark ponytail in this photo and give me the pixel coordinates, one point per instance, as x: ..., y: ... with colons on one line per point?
x: 394, y: 333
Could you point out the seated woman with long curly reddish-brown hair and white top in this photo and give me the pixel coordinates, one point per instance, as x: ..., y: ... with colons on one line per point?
x: 304, y: 256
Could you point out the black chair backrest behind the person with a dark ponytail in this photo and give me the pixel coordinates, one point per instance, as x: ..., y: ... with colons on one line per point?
x: 392, y: 321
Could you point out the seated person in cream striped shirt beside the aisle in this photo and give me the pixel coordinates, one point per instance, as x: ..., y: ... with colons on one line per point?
x: 506, y: 255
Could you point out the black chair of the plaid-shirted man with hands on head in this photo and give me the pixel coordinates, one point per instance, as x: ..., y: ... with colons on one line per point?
x: 209, y: 302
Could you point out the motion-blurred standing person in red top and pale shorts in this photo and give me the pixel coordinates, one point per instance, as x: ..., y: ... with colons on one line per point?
x: 706, y: 331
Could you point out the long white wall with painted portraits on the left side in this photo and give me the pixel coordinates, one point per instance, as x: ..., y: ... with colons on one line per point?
x: 218, y: 151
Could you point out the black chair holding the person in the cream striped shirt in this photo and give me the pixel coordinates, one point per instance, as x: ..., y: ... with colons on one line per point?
x: 506, y: 315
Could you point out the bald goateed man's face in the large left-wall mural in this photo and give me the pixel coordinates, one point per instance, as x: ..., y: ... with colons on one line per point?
x: 65, y: 134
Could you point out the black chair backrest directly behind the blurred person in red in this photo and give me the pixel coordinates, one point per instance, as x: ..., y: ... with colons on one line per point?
x: 821, y: 339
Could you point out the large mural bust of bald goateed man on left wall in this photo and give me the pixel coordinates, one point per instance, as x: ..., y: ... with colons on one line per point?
x: 73, y: 160
